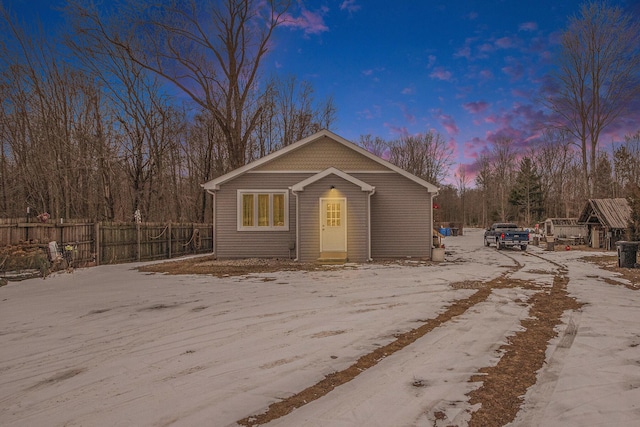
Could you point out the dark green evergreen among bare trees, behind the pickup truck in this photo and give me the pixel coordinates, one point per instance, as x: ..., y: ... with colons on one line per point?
x: 526, y: 194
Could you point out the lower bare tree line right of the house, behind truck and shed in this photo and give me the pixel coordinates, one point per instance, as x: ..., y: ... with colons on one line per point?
x: 544, y: 181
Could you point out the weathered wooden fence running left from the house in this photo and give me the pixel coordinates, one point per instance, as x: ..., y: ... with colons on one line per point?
x: 112, y: 243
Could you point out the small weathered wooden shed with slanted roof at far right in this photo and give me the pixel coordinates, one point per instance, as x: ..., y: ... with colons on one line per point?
x: 607, y: 221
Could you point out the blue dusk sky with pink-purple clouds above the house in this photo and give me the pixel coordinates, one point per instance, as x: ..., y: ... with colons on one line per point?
x: 469, y: 70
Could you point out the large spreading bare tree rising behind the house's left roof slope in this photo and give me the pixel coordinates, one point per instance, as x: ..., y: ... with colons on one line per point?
x: 212, y: 51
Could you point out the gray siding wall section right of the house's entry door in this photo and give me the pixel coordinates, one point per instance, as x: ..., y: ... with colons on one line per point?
x: 400, y: 217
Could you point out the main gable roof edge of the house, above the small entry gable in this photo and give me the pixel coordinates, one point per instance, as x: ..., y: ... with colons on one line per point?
x: 214, y: 184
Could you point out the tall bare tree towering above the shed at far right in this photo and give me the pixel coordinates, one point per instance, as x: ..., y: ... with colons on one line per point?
x: 597, y: 76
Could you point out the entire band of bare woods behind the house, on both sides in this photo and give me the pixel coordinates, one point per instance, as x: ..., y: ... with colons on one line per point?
x: 139, y: 103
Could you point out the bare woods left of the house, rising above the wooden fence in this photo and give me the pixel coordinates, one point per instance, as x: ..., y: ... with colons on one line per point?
x: 89, y: 128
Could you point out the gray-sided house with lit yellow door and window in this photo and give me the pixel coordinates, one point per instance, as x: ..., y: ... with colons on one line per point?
x: 322, y: 198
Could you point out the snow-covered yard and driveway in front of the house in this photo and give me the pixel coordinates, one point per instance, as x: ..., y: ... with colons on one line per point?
x: 111, y: 346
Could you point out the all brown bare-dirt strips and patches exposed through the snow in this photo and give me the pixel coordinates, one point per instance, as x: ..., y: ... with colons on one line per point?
x: 503, y: 386
